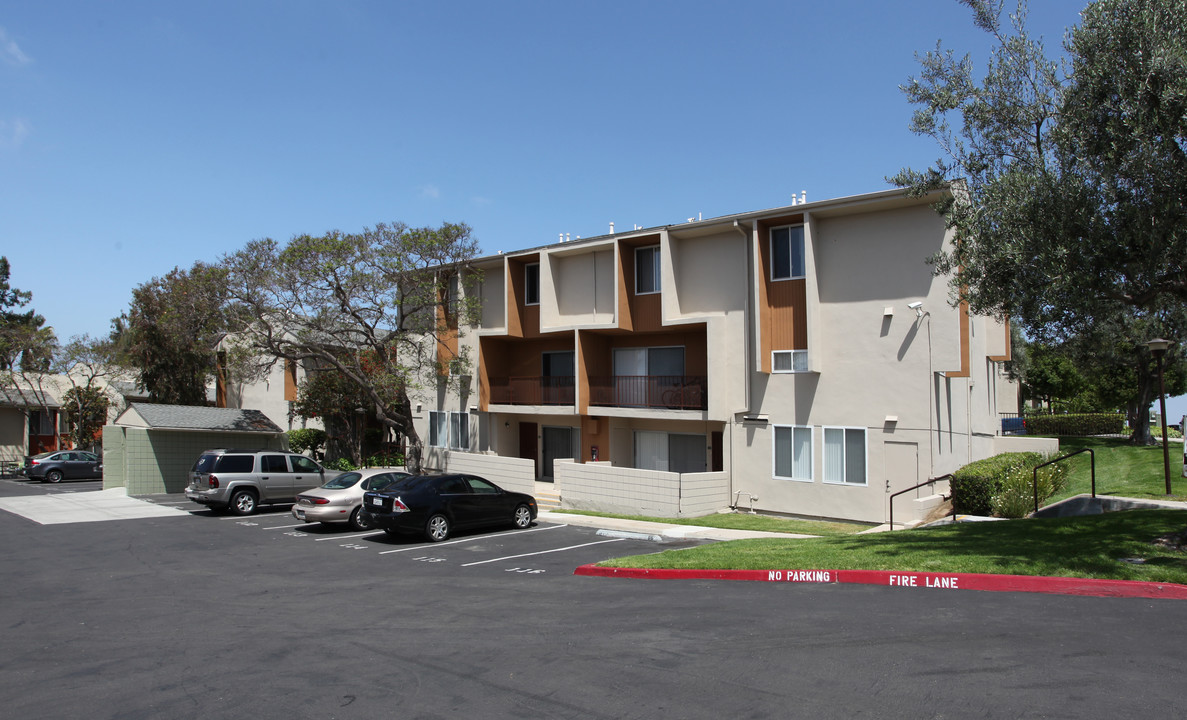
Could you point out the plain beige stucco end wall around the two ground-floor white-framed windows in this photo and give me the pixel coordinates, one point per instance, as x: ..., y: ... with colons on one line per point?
x: 878, y: 372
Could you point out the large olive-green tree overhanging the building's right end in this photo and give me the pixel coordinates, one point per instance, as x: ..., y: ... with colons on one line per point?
x: 1069, y: 182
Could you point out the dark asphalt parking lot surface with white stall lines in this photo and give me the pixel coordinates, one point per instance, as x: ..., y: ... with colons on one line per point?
x: 208, y: 616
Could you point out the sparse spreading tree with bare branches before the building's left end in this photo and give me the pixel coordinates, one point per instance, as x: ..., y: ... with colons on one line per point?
x: 382, y: 308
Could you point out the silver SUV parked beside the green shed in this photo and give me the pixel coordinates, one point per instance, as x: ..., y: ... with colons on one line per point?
x: 243, y: 480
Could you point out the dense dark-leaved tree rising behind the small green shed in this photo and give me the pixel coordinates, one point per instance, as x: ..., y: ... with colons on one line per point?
x: 170, y: 334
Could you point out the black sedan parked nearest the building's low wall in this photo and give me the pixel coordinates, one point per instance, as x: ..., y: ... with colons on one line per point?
x: 439, y: 505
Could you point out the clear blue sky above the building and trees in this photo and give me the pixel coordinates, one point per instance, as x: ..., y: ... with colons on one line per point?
x: 137, y: 137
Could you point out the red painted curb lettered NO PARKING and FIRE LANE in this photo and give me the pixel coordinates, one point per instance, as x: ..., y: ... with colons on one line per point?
x: 1032, y: 584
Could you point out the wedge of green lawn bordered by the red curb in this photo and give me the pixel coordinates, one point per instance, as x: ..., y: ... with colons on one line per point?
x: 1083, y: 547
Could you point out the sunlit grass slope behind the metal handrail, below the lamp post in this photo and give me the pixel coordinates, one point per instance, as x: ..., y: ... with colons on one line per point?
x: 1123, y: 469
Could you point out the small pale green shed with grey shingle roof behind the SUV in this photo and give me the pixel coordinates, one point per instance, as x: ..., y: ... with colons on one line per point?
x: 150, y: 448
